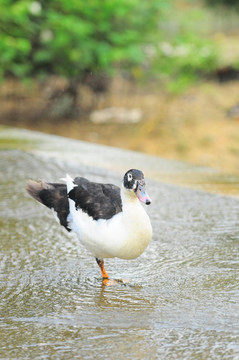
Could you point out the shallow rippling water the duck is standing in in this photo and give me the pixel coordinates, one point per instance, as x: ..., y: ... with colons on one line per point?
x: 182, y: 301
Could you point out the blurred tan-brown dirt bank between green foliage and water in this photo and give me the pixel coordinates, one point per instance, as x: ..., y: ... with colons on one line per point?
x: 200, y: 126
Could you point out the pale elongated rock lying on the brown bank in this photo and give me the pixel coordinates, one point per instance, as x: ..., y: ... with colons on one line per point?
x: 116, y: 115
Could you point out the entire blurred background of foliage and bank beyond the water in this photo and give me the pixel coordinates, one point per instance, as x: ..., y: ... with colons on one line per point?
x: 158, y: 76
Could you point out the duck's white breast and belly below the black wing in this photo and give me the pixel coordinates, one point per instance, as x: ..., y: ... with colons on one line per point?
x: 125, y: 235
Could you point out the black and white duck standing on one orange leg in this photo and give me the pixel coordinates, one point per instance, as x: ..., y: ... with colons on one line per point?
x: 109, y: 221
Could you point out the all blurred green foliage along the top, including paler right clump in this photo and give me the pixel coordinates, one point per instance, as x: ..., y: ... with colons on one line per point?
x: 74, y: 38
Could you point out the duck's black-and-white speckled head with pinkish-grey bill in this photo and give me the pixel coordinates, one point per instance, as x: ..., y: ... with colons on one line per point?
x: 133, y: 181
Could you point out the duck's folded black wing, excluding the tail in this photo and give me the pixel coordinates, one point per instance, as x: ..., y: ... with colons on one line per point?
x: 100, y: 201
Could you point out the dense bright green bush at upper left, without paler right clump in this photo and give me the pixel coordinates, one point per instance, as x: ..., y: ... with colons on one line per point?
x: 71, y: 37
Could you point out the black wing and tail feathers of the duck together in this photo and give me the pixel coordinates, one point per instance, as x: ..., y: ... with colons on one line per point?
x: 100, y: 201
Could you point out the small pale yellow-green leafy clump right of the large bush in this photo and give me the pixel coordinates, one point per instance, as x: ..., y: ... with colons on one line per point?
x: 184, y: 58
